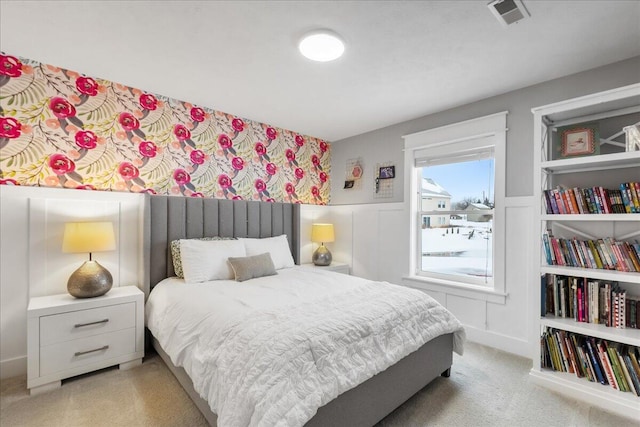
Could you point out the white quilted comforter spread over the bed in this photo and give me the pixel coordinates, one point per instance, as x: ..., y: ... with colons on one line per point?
x: 271, y: 351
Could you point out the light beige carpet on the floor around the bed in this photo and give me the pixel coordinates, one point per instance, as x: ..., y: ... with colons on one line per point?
x: 487, y: 387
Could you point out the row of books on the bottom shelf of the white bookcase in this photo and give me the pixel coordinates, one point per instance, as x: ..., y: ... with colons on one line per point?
x: 595, y: 359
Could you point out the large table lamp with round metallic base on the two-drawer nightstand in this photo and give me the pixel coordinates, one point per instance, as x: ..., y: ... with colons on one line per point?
x: 91, y: 279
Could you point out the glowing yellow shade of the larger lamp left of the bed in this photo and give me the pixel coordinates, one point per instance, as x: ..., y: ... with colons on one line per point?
x: 88, y: 237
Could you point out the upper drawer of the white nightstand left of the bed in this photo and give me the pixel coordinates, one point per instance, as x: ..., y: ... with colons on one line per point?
x: 84, y: 323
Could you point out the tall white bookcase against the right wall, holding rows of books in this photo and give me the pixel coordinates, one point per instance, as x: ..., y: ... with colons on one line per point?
x: 605, y: 164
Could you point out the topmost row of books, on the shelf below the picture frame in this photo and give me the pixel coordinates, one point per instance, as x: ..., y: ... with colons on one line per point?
x: 593, y: 200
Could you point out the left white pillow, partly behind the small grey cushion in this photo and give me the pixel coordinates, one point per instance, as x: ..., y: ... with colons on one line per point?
x: 204, y: 260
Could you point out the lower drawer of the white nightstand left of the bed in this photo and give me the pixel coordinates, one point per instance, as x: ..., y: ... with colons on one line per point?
x: 72, y: 354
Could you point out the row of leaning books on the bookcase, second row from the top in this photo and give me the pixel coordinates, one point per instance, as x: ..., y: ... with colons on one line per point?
x: 605, y: 253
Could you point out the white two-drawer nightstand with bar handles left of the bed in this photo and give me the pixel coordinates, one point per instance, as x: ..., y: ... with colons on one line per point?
x: 69, y: 336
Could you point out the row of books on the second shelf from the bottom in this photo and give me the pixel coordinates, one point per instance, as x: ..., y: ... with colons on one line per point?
x: 590, y: 301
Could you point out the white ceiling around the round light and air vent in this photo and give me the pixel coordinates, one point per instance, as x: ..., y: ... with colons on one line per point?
x: 403, y: 60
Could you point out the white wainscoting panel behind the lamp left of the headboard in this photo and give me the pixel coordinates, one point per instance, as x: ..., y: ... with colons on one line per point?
x: 32, y: 263
